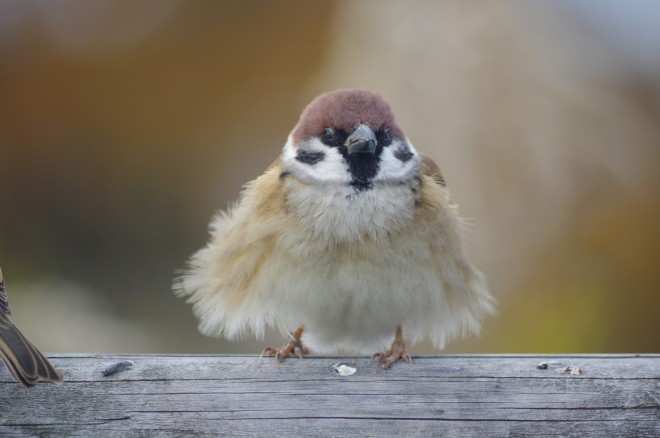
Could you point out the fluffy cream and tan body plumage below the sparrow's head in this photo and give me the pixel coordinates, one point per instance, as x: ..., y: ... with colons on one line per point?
x: 349, y: 269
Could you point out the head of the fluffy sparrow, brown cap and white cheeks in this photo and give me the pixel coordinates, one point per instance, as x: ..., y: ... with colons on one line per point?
x: 349, y: 137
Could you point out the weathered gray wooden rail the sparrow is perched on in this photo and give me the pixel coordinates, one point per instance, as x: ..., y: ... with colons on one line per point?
x: 466, y: 396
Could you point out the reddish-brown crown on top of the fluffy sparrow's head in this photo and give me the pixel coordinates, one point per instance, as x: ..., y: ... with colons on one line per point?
x: 345, y: 109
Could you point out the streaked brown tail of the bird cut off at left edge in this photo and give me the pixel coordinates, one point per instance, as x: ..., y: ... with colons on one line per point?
x: 27, y: 364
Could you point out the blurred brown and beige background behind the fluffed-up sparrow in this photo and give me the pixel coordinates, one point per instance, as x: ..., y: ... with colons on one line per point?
x: 125, y: 125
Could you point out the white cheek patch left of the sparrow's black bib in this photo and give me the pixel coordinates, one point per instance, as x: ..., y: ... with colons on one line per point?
x: 331, y: 169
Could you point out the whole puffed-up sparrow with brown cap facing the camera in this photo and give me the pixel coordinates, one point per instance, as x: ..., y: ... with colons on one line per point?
x: 347, y: 243
